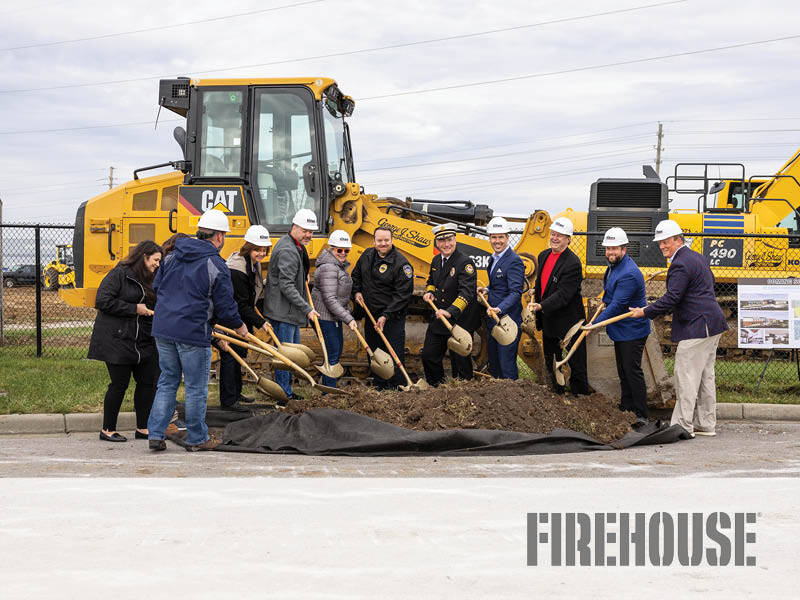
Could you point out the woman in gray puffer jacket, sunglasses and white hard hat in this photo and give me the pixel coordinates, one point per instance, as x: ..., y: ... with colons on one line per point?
x: 331, y: 296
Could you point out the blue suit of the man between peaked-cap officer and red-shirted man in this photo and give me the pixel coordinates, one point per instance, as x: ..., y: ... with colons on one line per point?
x: 506, y: 283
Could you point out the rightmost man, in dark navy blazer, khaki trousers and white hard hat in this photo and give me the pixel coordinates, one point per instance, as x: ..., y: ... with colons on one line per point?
x: 697, y: 324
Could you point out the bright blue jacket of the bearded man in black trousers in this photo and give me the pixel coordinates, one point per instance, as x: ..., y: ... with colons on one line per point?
x: 623, y: 285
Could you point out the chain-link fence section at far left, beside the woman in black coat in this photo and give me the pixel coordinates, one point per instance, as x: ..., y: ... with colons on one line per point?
x: 34, y: 321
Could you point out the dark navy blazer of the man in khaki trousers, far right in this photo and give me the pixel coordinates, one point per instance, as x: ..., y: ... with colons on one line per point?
x: 690, y: 296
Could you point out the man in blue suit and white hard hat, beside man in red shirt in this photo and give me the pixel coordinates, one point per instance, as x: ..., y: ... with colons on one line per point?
x: 506, y: 283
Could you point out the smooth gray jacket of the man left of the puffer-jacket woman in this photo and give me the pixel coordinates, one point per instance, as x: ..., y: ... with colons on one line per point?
x: 285, y: 297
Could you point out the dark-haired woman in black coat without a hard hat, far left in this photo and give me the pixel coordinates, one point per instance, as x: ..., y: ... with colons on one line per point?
x: 121, y: 337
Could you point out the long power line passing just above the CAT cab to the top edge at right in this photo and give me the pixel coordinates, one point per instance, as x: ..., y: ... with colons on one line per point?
x: 346, y: 53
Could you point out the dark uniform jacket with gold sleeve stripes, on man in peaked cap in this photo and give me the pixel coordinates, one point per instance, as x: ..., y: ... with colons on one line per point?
x: 454, y: 287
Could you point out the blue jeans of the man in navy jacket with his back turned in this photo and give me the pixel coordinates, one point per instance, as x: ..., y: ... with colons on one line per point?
x: 194, y: 362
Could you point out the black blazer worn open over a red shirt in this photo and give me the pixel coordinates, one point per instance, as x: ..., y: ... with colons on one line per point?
x: 561, y: 302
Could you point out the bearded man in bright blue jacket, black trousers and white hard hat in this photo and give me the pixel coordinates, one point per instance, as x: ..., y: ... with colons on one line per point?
x: 623, y: 284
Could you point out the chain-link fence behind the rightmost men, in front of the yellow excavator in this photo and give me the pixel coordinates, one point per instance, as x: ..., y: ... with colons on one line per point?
x: 732, y: 257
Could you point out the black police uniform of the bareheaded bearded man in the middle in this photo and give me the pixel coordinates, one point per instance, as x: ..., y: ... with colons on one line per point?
x: 387, y: 284
